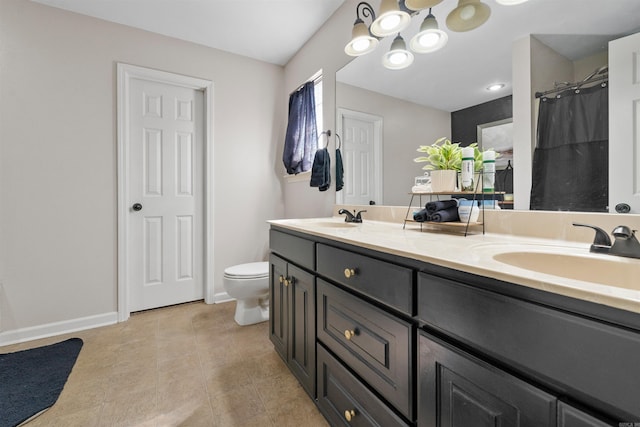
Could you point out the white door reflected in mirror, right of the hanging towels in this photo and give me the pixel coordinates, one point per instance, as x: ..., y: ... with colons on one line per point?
x: 362, y: 160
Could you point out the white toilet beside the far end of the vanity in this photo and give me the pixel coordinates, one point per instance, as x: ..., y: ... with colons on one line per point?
x: 249, y: 285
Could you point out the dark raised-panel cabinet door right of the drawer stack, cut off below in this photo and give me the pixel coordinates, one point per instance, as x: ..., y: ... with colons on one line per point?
x: 458, y: 390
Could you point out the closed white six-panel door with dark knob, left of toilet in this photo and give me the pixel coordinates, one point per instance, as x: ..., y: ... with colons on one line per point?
x: 165, y: 244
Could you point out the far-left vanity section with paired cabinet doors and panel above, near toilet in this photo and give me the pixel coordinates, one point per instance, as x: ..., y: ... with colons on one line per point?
x: 292, y: 327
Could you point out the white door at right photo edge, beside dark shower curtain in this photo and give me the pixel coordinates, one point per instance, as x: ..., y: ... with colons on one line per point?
x: 624, y: 123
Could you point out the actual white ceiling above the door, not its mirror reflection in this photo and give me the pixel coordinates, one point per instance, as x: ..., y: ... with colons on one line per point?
x: 267, y: 30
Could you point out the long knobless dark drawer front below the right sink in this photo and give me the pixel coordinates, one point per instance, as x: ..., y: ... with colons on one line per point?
x: 598, y: 362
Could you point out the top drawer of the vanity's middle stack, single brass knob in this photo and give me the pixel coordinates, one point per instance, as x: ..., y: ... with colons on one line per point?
x: 388, y: 283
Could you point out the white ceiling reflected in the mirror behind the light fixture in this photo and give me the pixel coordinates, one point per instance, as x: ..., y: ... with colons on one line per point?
x: 457, y: 76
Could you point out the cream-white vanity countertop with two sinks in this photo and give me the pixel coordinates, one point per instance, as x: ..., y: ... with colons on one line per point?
x: 475, y: 254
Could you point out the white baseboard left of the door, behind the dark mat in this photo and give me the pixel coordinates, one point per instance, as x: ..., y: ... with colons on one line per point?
x: 57, y: 328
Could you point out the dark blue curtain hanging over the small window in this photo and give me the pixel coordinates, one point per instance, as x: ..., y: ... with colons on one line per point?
x: 301, y: 139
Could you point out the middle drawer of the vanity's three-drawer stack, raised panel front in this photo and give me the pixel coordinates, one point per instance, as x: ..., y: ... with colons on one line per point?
x: 372, y: 342
